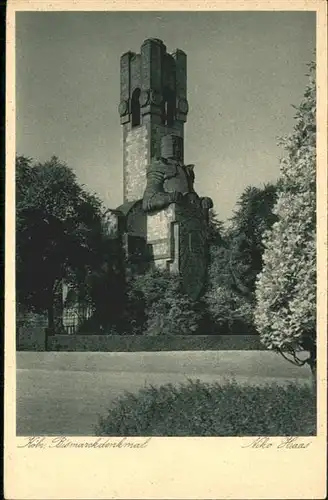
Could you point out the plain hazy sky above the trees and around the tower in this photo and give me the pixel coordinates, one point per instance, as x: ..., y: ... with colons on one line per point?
x: 245, y: 70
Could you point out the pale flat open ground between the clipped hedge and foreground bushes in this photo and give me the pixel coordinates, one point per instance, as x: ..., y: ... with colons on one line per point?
x: 63, y: 393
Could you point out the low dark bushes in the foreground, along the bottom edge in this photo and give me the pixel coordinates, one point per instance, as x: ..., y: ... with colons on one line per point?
x: 201, y: 409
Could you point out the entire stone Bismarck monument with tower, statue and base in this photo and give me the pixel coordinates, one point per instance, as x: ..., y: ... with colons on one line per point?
x: 162, y: 222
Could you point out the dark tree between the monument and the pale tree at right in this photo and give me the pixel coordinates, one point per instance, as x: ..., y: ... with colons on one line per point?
x: 237, y: 259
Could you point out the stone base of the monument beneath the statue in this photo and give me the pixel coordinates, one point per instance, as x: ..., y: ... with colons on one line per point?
x: 174, y: 239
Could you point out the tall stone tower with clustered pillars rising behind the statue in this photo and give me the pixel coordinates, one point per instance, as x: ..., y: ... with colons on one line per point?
x: 152, y: 104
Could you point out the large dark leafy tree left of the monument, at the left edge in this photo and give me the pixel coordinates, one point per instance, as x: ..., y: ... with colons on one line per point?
x: 58, y: 225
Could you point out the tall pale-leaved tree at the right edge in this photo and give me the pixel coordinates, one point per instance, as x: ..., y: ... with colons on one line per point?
x: 285, y: 314
